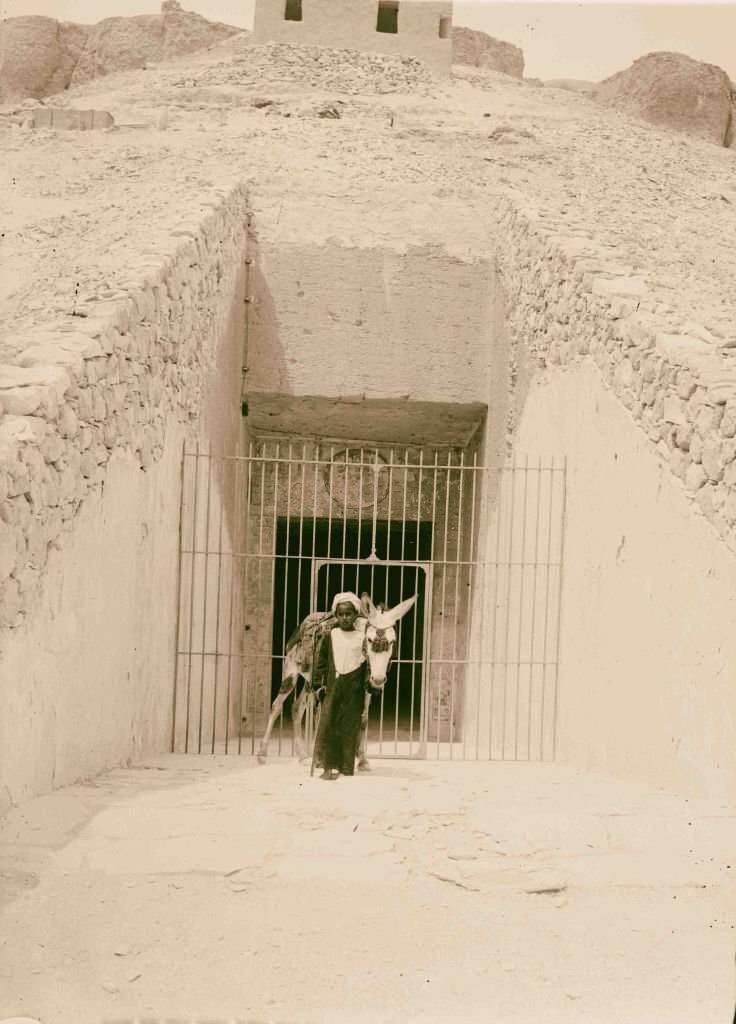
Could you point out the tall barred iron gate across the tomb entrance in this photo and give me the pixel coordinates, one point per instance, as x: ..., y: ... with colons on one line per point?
x: 272, y: 535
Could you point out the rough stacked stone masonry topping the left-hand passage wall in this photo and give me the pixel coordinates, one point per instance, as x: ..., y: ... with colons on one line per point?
x: 110, y: 381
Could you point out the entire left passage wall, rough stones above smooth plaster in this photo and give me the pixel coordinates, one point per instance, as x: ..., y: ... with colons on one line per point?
x: 95, y: 414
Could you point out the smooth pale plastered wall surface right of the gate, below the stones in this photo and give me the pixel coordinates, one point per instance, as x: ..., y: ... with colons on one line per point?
x: 650, y: 598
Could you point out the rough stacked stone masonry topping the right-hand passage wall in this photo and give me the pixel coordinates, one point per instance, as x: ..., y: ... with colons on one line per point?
x: 568, y: 300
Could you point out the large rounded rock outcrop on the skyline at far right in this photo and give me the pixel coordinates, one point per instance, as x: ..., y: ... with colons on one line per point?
x: 674, y: 92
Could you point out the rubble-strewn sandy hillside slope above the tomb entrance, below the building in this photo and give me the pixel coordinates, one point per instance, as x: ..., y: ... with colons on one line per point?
x: 408, y: 160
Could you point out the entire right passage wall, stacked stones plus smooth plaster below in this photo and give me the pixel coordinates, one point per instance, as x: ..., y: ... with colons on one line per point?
x: 647, y: 420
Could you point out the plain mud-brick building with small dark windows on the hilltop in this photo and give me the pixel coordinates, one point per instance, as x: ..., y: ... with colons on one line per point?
x: 406, y: 28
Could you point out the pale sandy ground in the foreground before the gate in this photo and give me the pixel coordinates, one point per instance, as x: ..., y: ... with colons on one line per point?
x: 195, y: 888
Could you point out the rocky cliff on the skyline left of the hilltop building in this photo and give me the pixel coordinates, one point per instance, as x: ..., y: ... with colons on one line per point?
x: 40, y: 57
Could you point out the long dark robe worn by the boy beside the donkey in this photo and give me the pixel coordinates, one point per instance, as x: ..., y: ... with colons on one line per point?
x: 339, y: 732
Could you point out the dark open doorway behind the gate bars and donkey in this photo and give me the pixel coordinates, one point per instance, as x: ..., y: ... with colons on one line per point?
x: 330, y: 546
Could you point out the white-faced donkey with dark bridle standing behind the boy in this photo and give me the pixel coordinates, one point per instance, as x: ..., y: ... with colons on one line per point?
x: 379, y: 646
